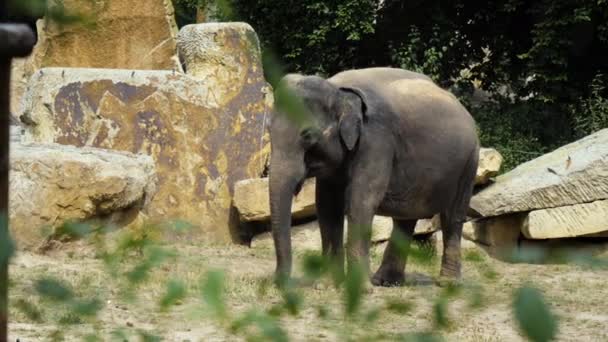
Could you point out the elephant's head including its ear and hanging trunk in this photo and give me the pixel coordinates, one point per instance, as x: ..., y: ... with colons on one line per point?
x: 314, y: 127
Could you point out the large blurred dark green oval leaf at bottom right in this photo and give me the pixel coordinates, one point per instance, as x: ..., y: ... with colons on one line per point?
x: 533, y: 315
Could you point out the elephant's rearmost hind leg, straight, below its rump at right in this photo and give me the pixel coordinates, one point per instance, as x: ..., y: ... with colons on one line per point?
x: 453, y: 219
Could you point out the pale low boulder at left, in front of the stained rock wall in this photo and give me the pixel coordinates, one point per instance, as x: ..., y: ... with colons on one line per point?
x: 50, y: 184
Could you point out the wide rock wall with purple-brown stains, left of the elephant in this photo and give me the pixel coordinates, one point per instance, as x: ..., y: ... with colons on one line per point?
x: 200, y: 148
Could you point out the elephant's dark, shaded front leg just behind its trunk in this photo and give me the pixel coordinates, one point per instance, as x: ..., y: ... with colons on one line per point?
x: 330, y: 213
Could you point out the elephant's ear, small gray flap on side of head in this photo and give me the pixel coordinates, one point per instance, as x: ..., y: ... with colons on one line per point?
x: 351, y: 116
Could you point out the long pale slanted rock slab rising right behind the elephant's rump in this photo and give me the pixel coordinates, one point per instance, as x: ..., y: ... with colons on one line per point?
x: 575, y: 173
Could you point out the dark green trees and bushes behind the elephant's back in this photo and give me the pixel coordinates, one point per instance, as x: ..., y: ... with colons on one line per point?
x: 536, y: 60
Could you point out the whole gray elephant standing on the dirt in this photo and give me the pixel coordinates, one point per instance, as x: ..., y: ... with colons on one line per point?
x: 383, y: 141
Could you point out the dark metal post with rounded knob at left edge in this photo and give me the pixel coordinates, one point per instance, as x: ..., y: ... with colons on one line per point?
x: 16, y: 40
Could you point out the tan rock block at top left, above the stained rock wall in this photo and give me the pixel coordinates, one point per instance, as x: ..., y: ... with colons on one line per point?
x: 121, y: 34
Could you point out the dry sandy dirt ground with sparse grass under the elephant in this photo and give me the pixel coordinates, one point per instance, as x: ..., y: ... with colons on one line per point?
x: 578, y: 296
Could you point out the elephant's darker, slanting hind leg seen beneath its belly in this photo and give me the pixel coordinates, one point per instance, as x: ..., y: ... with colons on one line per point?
x: 392, y: 269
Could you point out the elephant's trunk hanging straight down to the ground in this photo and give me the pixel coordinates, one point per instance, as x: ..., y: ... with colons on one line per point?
x: 284, y: 178
